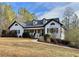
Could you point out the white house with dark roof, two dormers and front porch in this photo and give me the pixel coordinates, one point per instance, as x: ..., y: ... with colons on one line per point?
x: 40, y: 27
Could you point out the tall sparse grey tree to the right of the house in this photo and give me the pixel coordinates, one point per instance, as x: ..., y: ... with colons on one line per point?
x: 70, y: 18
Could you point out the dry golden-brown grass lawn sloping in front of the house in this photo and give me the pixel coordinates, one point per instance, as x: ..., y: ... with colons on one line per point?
x: 26, y: 47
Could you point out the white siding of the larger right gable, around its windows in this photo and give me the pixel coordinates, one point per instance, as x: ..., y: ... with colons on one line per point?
x: 57, y: 25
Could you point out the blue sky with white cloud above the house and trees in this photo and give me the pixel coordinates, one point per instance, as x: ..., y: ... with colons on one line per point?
x: 45, y: 9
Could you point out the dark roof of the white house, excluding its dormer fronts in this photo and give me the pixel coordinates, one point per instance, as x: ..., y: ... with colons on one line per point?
x: 39, y: 23
